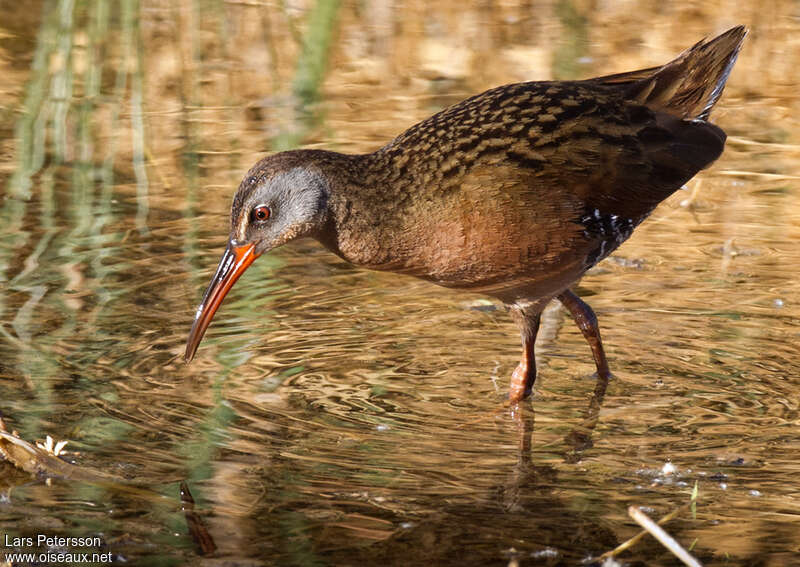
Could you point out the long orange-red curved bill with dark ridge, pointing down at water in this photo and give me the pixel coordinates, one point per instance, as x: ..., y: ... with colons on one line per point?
x: 233, y: 263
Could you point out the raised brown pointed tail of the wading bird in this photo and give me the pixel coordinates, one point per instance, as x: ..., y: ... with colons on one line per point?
x: 690, y: 85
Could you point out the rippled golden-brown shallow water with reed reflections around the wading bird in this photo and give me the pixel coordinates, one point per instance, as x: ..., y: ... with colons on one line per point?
x: 339, y: 416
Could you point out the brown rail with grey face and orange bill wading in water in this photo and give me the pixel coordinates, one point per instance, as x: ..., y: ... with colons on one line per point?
x: 514, y: 193
